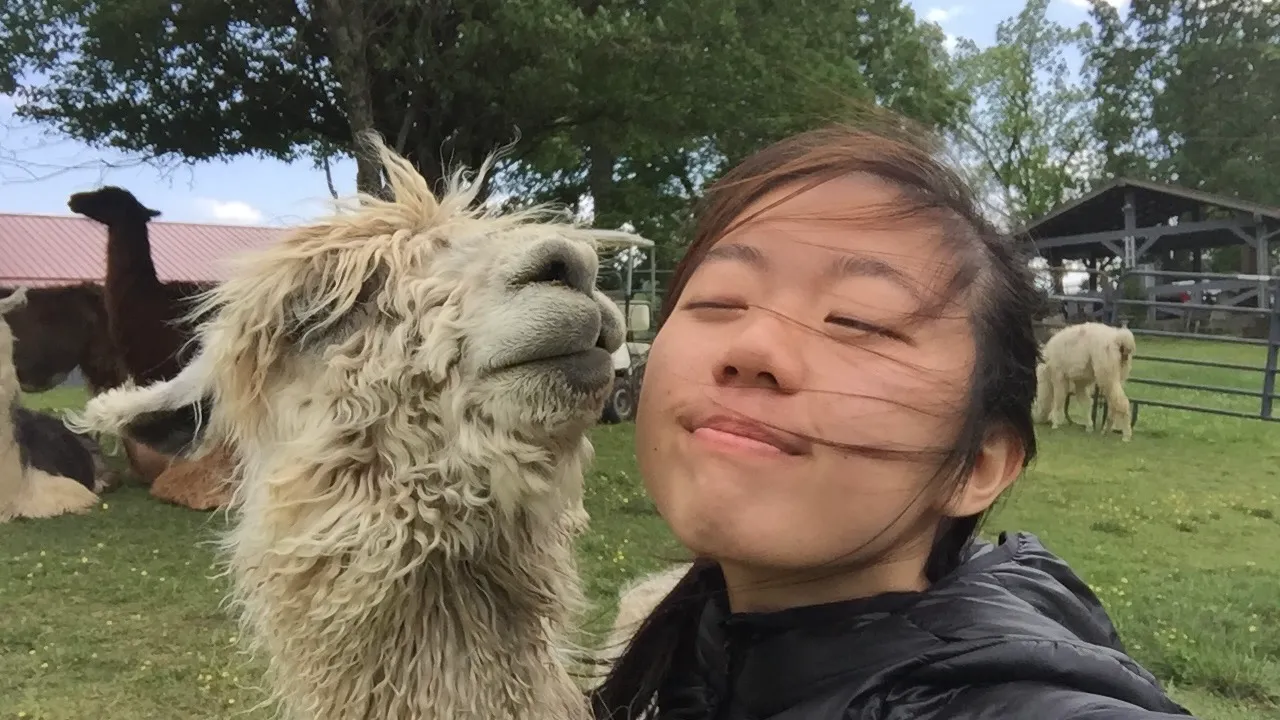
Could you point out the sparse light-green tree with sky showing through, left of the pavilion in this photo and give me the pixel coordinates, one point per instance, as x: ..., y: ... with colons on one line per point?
x: 1028, y: 135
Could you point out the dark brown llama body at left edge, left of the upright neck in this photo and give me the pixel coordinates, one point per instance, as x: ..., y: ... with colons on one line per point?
x: 58, y: 330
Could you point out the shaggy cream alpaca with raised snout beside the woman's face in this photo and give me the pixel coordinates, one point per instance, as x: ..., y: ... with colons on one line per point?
x: 408, y: 389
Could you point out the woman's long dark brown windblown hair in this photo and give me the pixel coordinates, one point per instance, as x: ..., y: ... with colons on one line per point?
x: 991, y: 276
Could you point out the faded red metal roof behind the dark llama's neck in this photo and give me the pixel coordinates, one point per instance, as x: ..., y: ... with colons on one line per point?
x: 49, y: 250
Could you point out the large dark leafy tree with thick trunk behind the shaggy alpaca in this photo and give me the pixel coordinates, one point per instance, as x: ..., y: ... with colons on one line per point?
x: 637, y: 92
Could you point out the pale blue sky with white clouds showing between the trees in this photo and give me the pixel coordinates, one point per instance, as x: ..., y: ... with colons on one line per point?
x: 271, y: 193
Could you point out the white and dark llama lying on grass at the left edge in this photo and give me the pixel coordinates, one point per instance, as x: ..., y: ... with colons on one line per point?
x: 45, y: 471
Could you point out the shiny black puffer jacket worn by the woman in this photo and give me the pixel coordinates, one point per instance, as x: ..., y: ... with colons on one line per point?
x: 1012, y: 610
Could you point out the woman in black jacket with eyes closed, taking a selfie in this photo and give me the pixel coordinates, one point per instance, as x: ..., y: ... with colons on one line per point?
x: 839, y: 394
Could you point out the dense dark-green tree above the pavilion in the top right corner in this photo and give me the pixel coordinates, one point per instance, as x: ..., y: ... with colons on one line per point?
x: 1188, y: 95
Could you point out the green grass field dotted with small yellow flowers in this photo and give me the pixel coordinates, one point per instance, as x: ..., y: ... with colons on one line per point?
x: 116, y: 616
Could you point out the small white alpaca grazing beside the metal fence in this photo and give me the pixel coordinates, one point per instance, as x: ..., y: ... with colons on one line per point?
x: 1077, y: 359
